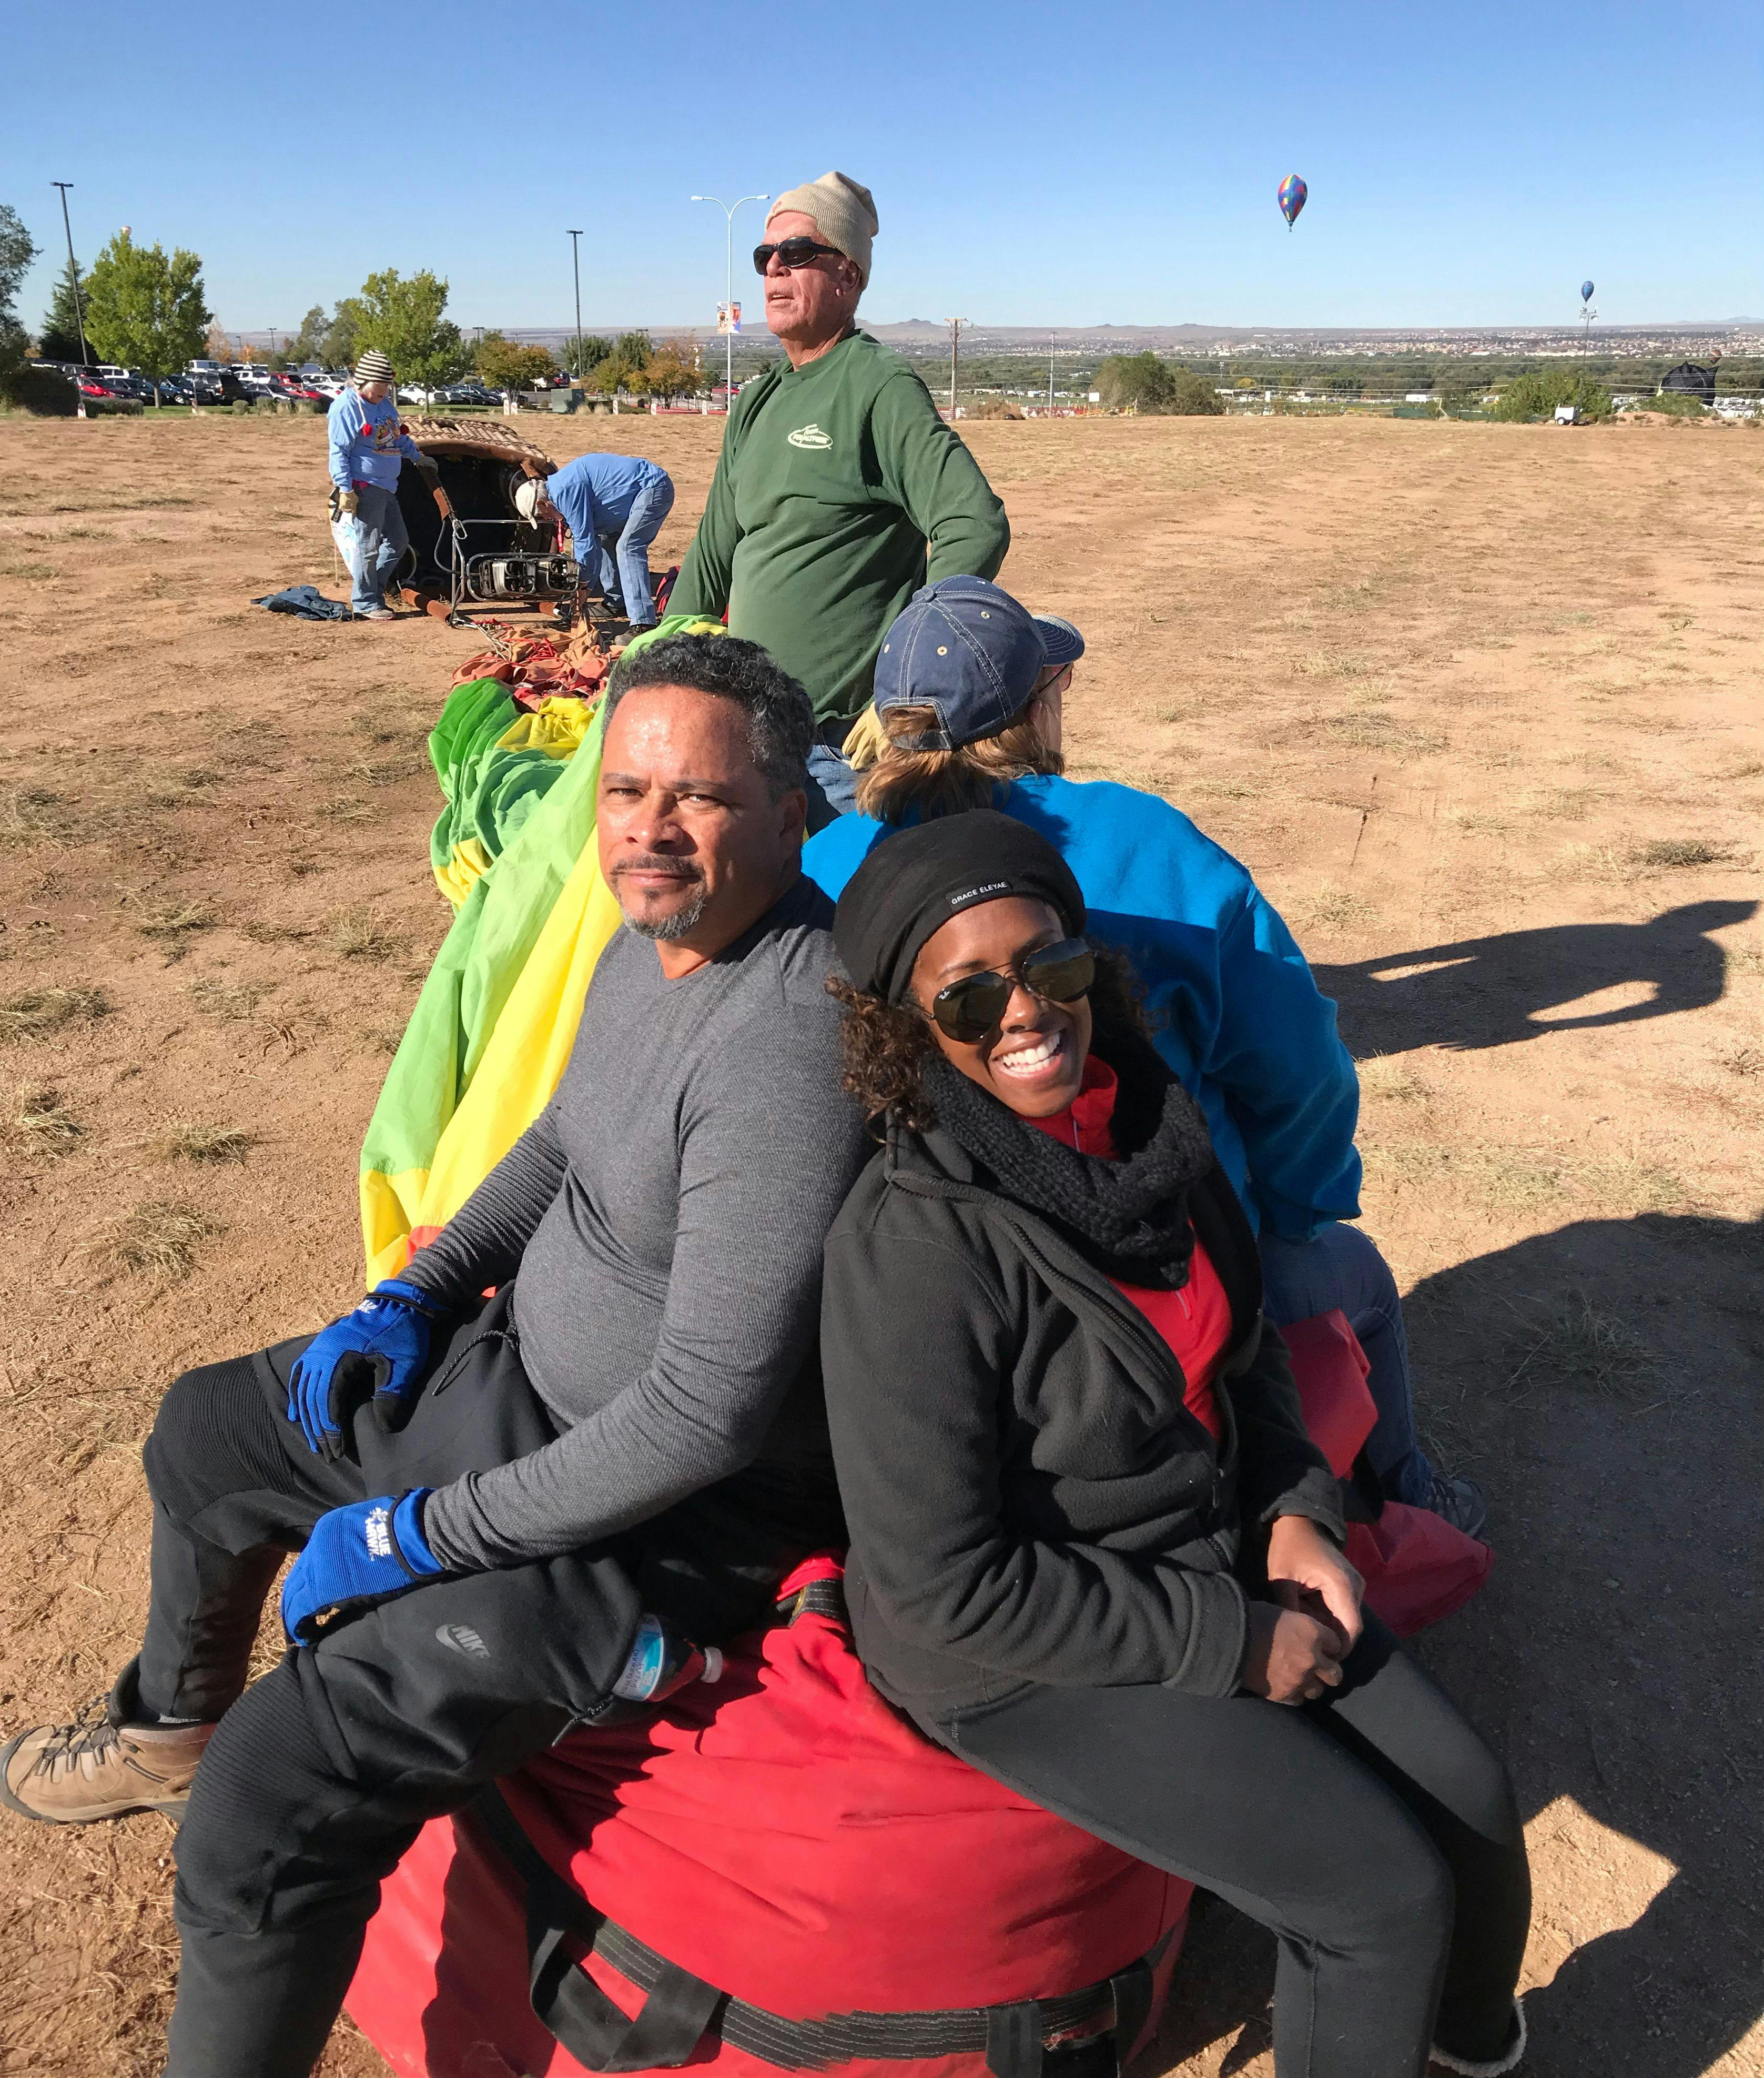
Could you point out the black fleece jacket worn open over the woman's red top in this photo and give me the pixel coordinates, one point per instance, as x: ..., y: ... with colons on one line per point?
x: 1027, y: 1495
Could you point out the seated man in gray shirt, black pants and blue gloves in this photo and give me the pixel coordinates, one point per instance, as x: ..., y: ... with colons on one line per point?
x: 514, y: 1514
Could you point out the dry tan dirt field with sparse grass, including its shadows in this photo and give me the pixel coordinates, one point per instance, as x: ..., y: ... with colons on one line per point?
x: 1482, y: 712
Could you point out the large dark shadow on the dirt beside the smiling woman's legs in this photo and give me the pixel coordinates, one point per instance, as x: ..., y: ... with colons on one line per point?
x: 1611, y: 1377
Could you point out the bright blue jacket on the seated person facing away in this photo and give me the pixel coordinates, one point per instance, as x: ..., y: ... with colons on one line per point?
x: 1233, y: 1003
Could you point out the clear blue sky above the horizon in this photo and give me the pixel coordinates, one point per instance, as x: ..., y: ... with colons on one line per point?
x: 1034, y: 165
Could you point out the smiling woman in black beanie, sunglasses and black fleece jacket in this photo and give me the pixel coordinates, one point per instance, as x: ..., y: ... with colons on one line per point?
x: 1094, y: 1549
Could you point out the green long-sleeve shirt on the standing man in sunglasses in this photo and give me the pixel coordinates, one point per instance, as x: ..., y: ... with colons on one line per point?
x: 838, y: 494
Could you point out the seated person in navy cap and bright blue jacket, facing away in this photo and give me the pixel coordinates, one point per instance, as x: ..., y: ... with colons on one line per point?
x: 969, y: 697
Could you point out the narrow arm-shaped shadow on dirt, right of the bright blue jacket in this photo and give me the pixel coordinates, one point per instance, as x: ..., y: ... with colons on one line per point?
x: 1499, y: 990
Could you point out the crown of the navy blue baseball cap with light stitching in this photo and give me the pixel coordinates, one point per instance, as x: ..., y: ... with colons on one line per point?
x: 965, y: 649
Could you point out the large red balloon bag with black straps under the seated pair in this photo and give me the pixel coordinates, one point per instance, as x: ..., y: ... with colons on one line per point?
x: 778, y: 1873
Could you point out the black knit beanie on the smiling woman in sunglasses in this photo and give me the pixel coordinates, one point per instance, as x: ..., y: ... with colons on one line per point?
x: 917, y: 880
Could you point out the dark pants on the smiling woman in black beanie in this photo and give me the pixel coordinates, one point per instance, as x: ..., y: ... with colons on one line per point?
x: 1374, y: 1834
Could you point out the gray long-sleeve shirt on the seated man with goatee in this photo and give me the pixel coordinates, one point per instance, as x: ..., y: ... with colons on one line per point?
x: 662, y: 1223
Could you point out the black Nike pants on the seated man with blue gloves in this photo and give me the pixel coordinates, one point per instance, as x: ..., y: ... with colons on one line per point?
x: 321, y: 1776
